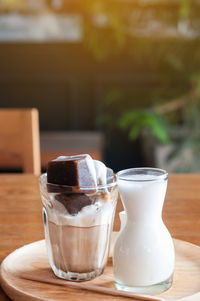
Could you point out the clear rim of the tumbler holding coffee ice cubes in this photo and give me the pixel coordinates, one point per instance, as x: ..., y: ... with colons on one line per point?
x: 57, y: 187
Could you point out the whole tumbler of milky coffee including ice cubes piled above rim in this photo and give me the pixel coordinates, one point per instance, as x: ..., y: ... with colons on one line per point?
x: 79, y: 197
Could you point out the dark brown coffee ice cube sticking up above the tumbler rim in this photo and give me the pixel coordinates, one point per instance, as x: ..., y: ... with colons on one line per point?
x: 72, y: 171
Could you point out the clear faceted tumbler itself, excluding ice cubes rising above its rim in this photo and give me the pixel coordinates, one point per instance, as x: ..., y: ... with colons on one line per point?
x: 78, y: 223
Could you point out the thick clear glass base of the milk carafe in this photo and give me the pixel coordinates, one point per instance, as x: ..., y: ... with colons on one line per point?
x: 150, y: 290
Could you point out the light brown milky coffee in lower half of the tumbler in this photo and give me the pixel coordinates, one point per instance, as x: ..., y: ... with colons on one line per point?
x: 79, y: 249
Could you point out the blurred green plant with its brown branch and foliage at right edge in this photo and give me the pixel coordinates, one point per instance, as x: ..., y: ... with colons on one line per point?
x: 175, y: 121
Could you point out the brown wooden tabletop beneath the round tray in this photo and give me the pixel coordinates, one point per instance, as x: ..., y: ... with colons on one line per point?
x: 21, y: 219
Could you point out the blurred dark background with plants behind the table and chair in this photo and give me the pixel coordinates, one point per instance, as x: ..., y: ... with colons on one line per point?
x: 119, y: 79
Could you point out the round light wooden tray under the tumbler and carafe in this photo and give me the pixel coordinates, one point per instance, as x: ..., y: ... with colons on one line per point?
x: 32, y: 259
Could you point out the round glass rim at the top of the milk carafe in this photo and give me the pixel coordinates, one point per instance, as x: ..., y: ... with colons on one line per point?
x: 161, y: 174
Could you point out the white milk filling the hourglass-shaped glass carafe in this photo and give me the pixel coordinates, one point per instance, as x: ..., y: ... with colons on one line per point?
x: 144, y: 251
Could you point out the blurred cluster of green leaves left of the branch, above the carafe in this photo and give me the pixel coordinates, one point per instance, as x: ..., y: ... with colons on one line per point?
x: 121, y: 113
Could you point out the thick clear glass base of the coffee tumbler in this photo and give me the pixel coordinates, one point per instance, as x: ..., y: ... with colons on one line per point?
x: 77, y: 276
